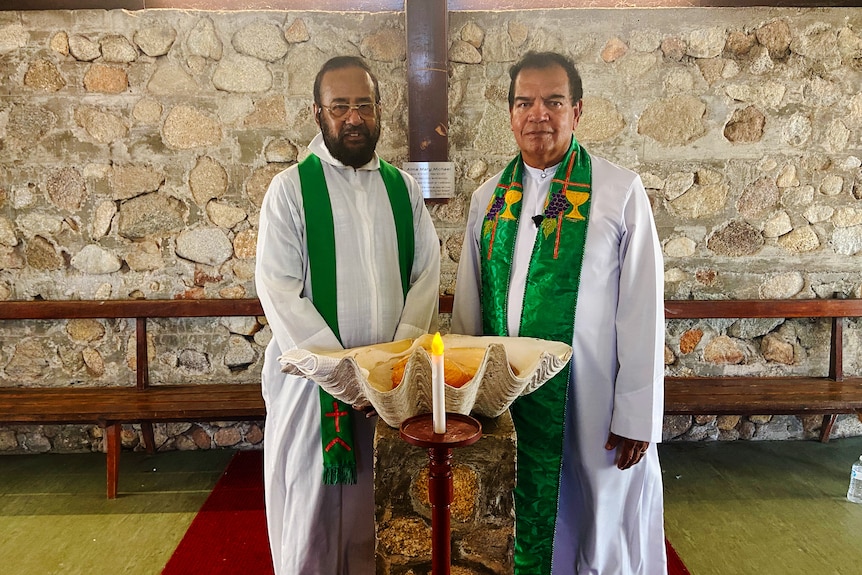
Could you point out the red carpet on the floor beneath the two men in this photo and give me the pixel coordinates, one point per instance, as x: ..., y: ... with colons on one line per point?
x: 228, y: 535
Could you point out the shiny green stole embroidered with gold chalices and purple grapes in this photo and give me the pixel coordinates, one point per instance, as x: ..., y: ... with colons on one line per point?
x: 549, y: 313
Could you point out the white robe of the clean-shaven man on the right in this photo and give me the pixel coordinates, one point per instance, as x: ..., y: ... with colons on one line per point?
x: 610, y: 522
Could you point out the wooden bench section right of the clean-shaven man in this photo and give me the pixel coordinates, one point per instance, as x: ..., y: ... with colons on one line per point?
x: 828, y: 395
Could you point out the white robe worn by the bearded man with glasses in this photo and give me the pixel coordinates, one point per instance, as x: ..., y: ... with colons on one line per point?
x: 316, y: 529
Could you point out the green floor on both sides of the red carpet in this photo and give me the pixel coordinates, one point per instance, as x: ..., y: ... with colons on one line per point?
x: 730, y: 508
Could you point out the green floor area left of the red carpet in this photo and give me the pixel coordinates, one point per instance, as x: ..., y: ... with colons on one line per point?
x: 55, y: 519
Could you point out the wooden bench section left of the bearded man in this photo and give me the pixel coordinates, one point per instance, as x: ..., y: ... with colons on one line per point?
x: 110, y: 407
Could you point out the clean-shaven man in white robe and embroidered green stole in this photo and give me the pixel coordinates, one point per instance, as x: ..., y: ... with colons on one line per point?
x: 561, y: 245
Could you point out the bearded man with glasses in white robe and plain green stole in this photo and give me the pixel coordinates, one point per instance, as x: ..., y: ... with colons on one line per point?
x: 347, y: 256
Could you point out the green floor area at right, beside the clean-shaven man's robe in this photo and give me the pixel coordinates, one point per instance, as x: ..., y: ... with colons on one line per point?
x: 748, y: 507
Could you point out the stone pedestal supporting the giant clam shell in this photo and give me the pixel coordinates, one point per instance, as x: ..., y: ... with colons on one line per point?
x: 482, y: 505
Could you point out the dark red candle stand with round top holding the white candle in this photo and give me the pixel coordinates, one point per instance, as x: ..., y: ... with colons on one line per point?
x: 461, y: 431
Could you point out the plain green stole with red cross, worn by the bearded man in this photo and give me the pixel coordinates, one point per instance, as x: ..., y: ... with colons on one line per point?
x: 336, y: 428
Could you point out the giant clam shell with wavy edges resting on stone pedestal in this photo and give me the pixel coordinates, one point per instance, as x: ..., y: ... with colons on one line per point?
x: 361, y: 376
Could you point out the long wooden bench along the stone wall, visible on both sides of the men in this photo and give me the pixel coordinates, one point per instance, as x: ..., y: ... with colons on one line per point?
x: 110, y: 407
